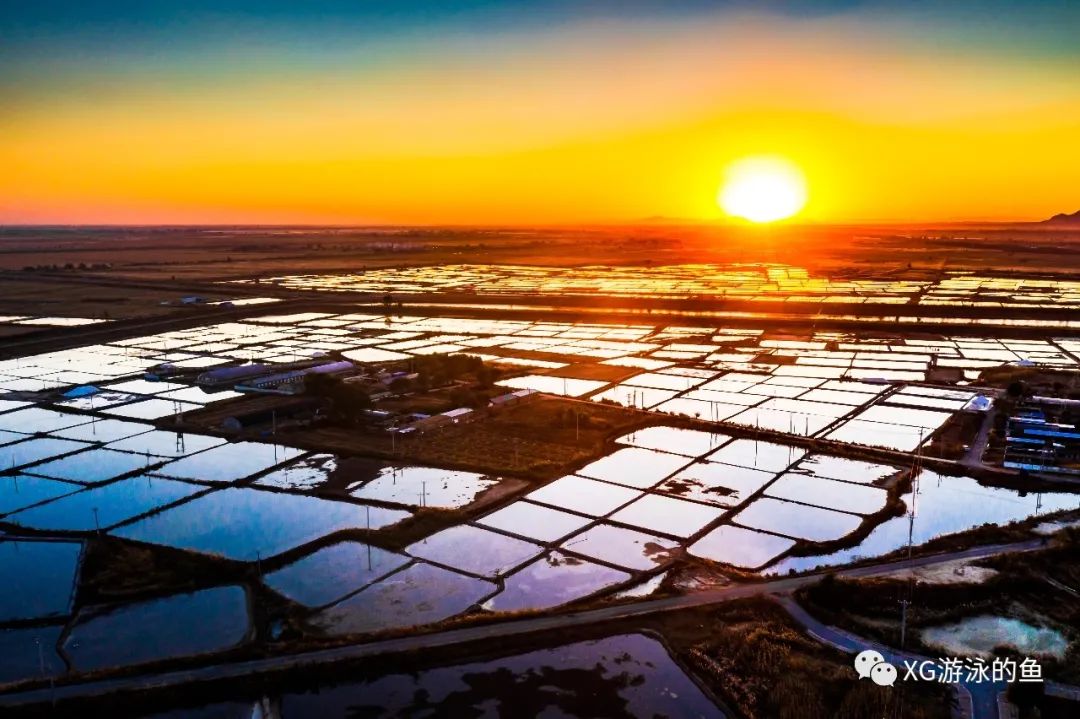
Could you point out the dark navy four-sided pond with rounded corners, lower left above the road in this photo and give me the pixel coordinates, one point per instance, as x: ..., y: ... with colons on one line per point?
x: 141, y: 632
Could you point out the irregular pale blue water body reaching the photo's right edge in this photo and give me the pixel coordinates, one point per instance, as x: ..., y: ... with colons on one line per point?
x: 946, y: 506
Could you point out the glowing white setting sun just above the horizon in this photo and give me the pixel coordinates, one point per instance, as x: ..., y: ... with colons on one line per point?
x: 763, y: 189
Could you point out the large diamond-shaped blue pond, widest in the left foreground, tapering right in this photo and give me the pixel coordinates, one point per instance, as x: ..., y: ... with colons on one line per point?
x: 247, y: 524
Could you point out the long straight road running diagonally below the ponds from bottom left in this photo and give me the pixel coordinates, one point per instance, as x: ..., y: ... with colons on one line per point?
x: 492, y: 632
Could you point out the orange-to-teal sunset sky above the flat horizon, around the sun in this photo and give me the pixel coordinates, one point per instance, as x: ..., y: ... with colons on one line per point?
x: 496, y: 113
